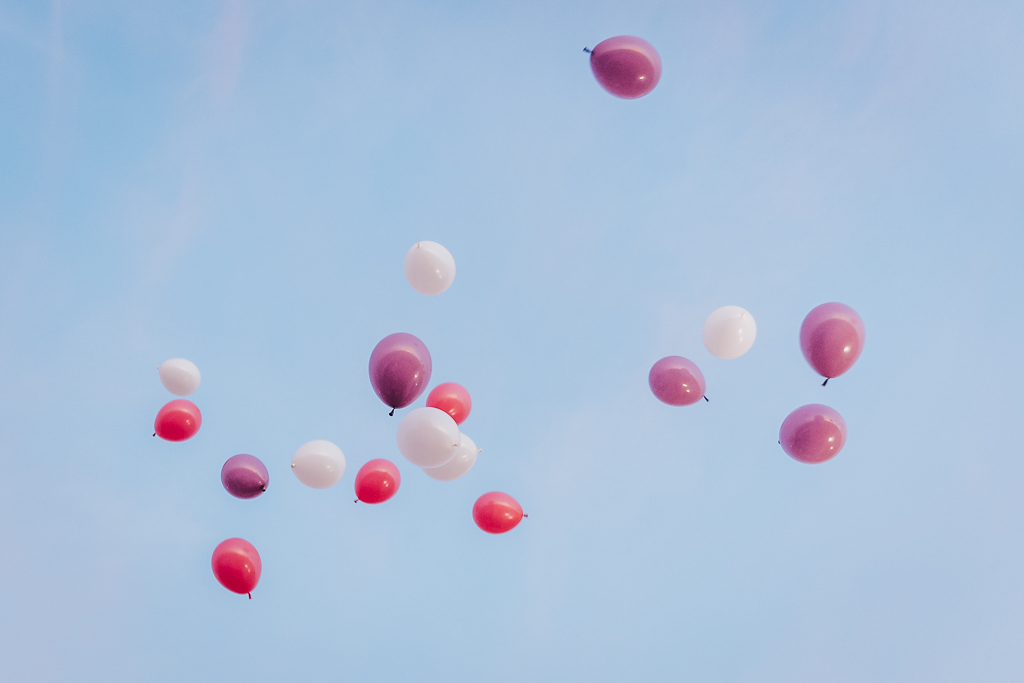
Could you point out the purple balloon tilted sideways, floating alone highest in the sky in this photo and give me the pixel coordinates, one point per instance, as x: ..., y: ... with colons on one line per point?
x: 626, y: 67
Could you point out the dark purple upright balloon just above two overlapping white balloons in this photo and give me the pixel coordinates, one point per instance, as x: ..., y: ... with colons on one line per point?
x: 400, y: 370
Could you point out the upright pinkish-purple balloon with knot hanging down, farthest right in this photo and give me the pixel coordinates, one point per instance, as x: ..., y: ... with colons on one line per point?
x: 832, y: 338
